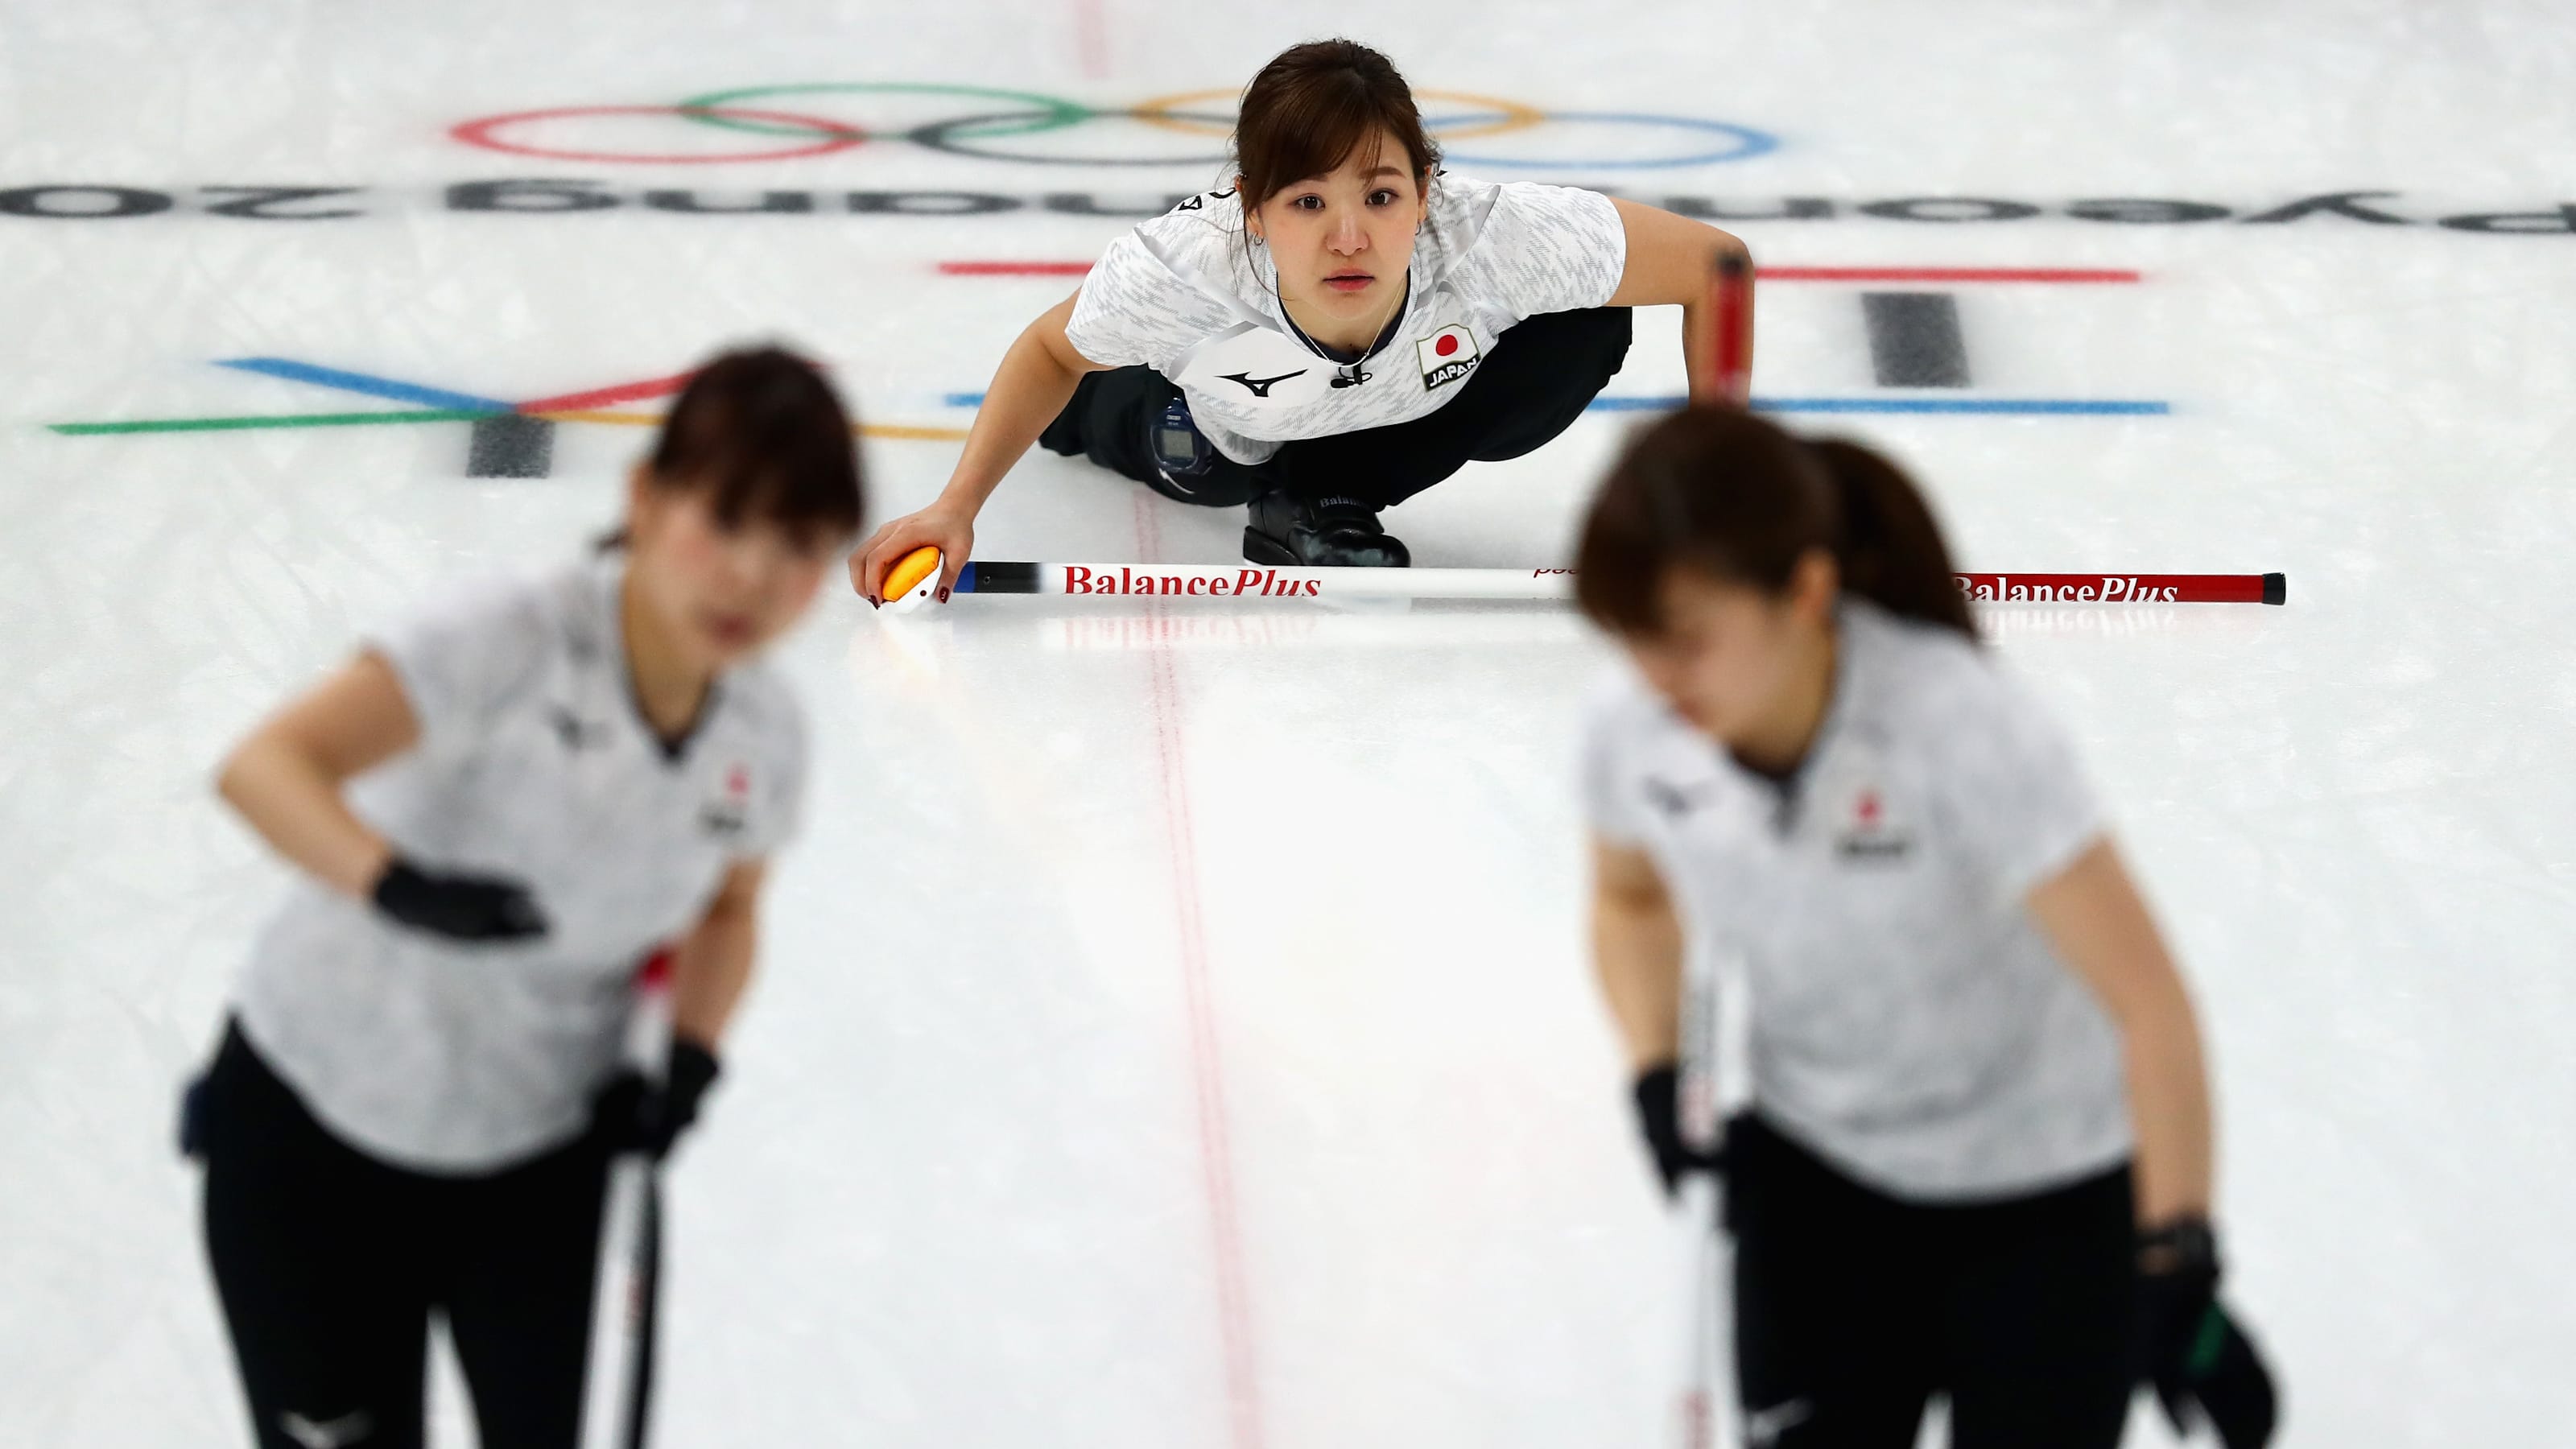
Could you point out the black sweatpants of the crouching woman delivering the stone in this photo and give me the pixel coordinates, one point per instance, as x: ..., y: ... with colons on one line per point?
x: 1531, y: 385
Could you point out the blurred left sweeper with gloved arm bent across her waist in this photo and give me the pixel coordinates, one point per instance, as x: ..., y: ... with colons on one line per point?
x: 501, y: 808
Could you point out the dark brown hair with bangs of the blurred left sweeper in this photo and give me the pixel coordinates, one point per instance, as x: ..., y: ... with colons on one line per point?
x: 766, y: 437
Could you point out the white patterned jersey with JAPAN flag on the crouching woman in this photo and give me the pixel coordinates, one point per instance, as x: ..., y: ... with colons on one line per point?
x: 1189, y: 298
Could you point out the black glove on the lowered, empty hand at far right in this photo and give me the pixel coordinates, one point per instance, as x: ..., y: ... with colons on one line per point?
x: 2191, y: 1350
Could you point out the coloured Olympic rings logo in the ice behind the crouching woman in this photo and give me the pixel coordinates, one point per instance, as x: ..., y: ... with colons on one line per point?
x: 1003, y: 125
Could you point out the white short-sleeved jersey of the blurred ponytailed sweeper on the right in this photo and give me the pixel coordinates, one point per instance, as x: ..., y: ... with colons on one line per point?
x: 1908, y: 1020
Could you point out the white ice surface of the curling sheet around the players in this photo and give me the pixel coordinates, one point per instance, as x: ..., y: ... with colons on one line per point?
x: 1073, y: 862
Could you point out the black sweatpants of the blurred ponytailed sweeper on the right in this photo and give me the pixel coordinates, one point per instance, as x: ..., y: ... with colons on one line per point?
x: 1856, y: 1308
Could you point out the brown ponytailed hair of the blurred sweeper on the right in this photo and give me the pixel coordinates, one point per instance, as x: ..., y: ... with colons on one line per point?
x: 1743, y: 501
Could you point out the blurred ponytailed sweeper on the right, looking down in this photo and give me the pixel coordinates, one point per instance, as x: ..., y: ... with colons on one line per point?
x: 1977, y: 1156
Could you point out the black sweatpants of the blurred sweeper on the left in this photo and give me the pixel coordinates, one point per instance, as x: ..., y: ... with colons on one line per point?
x: 331, y: 1265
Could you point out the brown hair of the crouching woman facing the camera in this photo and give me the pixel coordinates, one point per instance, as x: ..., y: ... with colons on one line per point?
x: 1312, y: 107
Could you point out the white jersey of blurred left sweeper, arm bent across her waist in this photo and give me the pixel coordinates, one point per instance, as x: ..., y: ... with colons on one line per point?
x: 532, y: 764
